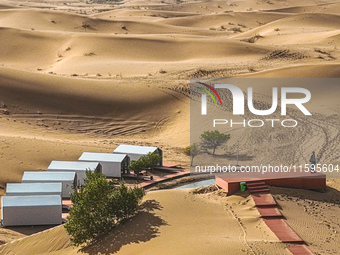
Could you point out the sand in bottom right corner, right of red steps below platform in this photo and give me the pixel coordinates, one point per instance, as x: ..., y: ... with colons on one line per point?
x: 313, y: 215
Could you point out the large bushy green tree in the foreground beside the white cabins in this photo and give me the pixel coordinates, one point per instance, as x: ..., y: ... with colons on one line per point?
x: 98, y: 206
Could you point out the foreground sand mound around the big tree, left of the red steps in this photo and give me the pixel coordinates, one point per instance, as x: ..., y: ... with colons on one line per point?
x: 204, y: 225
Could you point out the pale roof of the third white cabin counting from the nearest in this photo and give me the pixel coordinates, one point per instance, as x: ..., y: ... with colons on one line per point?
x: 48, y: 176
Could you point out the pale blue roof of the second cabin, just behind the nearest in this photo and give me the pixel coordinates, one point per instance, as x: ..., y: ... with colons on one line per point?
x: 33, y: 187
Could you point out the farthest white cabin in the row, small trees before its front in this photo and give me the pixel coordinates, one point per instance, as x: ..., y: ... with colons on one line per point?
x: 137, y: 151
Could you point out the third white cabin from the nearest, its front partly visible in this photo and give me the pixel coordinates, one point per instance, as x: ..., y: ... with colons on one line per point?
x: 68, y: 179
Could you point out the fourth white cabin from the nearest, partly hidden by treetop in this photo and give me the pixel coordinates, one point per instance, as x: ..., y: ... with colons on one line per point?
x: 75, y: 166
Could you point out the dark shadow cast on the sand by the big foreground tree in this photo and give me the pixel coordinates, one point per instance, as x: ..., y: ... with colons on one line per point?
x: 141, y: 228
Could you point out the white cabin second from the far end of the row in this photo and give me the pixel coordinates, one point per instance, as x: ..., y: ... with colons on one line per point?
x: 113, y: 165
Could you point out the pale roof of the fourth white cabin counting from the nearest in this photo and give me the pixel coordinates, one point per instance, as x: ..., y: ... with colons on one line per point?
x: 72, y: 165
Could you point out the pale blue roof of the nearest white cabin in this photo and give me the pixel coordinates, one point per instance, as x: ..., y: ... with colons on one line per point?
x: 24, y: 201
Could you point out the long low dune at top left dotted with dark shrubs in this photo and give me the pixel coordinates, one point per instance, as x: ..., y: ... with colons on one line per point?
x: 67, y: 22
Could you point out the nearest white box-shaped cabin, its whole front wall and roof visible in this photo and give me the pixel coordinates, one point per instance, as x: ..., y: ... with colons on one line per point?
x: 31, y: 210
